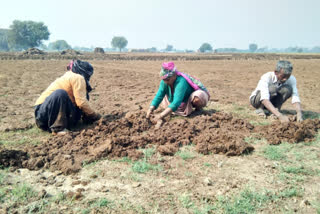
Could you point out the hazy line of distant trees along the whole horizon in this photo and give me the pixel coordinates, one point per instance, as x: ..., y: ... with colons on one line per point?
x: 22, y: 35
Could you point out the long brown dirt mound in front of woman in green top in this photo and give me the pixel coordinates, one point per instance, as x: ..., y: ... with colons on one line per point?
x: 117, y: 135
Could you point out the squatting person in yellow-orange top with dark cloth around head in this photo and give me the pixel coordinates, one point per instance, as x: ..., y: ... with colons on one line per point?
x: 66, y: 99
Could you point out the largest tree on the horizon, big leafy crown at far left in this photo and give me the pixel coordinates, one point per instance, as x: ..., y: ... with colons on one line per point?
x: 27, y: 34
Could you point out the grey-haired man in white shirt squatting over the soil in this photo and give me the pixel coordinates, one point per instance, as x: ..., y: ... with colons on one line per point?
x: 273, y: 89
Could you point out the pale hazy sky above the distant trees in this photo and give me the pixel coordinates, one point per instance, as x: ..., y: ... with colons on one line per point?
x: 185, y: 24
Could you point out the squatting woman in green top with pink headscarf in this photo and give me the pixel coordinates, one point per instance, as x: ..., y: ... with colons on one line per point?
x: 178, y: 92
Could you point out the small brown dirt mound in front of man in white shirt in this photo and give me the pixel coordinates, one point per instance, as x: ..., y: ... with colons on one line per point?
x: 292, y: 132
